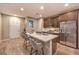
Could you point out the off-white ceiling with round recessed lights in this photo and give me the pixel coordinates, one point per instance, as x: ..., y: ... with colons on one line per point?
x: 32, y: 9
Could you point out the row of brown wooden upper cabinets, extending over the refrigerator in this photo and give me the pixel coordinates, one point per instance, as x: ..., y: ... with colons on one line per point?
x: 54, y: 21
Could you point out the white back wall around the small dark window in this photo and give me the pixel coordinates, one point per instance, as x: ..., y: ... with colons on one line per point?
x: 37, y: 24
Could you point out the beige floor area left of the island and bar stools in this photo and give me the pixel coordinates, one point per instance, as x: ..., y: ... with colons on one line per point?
x: 13, y: 47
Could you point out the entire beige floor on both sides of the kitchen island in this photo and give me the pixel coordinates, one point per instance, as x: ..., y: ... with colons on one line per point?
x: 17, y: 47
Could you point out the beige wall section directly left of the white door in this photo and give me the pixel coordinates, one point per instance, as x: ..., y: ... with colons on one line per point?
x: 5, y: 27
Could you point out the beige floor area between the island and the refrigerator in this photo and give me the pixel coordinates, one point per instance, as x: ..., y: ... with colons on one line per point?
x: 64, y: 50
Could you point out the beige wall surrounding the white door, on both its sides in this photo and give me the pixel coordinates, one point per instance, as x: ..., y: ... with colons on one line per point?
x: 5, y: 25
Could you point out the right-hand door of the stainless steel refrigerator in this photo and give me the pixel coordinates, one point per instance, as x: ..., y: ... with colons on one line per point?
x: 71, y: 33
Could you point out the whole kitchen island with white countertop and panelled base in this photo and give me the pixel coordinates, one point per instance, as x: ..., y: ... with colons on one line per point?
x: 48, y: 41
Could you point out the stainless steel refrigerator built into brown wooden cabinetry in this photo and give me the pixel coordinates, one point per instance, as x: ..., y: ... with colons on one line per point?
x: 68, y: 33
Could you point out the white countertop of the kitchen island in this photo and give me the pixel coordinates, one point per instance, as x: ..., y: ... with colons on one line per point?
x: 42, y: 37
